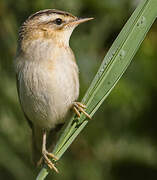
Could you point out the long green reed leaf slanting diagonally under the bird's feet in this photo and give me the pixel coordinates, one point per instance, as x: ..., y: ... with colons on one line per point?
x: 112, y: 68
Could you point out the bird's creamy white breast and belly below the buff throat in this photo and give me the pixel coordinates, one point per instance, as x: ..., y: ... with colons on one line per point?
x: 48, y: 88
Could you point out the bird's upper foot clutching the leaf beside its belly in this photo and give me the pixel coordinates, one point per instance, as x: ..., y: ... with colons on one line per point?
x: 79, y: 107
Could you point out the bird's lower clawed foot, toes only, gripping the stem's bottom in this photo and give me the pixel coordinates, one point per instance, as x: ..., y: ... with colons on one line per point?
x: 46, y: 157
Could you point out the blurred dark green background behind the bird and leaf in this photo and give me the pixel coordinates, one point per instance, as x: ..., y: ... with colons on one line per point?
x: 121, y: 141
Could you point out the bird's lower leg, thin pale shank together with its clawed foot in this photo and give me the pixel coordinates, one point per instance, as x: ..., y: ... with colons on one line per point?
x: 47, y: 155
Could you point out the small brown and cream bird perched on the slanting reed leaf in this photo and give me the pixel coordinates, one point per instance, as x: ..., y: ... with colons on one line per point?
x: 47, y: 77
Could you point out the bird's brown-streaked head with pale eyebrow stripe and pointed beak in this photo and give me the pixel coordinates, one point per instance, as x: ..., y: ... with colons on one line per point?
x: 50, y: 24
